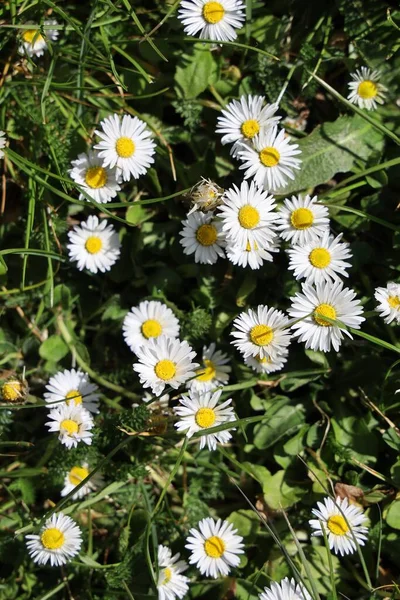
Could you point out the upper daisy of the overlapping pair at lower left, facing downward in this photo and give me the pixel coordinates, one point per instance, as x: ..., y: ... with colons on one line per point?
x: 74, y: 388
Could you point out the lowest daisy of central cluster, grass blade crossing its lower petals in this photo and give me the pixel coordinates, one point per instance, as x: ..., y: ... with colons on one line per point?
x: 199, y: 412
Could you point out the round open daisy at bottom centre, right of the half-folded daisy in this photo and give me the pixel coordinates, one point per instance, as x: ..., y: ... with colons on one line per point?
x: 215, y: 546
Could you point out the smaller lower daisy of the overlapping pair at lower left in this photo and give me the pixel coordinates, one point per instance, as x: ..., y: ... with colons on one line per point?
x: 73, y: 424
